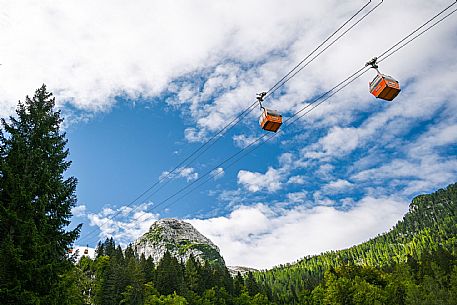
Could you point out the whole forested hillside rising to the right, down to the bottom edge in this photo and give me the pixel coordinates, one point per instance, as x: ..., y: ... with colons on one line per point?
x: 413, y: 263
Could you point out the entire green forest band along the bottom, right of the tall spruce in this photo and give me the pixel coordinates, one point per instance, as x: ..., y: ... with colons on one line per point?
x: 414, y: 263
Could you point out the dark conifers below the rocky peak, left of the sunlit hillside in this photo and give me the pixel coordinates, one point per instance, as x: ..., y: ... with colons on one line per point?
x: 124, y: 277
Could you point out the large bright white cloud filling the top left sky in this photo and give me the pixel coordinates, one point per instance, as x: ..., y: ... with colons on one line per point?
x: 88, y: 54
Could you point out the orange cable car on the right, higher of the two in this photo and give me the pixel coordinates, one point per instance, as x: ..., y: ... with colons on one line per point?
x: 383, y: 86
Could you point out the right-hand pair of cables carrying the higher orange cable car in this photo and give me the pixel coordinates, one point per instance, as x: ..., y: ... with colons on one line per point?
x: 304, y: 111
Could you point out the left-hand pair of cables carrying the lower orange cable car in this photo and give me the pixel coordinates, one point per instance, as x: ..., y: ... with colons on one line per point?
x: 213, y: 139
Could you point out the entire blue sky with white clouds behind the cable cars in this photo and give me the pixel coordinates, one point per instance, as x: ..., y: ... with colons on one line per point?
x: 140, y: 92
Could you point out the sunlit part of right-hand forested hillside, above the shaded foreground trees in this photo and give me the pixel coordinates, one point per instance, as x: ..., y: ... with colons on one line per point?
x: 427, y: 232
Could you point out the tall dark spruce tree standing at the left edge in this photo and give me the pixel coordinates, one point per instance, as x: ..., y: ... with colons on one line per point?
x: 35, y: 204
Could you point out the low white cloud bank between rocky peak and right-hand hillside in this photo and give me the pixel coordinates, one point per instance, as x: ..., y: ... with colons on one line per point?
x: 261, y: 236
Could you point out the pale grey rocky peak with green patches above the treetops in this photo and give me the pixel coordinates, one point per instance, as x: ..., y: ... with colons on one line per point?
x: 179, y: 238
